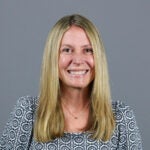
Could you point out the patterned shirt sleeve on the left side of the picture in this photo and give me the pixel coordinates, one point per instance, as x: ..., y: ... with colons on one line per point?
x: 18, y: 130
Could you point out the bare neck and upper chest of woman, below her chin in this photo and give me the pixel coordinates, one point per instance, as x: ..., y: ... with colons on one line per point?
x: 75, y: 105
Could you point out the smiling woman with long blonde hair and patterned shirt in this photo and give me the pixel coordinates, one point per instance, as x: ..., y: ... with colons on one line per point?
x: 73, y: 110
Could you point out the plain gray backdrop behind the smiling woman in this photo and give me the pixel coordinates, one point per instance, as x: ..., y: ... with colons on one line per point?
x: 125, y: 29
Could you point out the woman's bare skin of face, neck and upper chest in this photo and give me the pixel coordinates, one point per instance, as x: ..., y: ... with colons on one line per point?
x: 76, y: 72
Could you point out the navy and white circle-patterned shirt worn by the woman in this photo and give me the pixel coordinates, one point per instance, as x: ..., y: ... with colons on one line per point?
x: 18, y: 132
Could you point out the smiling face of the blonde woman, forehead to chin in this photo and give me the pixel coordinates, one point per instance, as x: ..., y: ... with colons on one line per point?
x: 76, y: 62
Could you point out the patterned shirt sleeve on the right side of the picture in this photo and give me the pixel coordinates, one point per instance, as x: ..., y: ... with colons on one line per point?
x: 128, y: 132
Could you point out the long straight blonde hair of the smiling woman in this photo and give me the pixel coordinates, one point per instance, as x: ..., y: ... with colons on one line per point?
x: 49, y: 122
